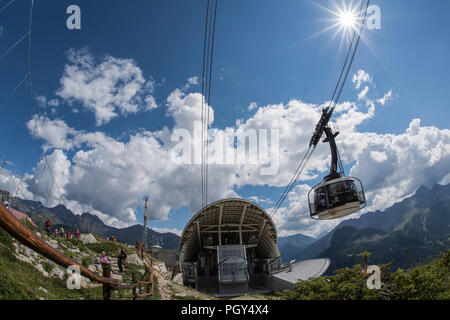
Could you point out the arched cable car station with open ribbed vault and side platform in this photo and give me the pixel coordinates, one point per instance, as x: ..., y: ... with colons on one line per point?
x: 230, y: 248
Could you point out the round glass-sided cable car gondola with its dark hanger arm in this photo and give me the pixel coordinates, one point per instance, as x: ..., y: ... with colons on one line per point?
x: 336, y: 196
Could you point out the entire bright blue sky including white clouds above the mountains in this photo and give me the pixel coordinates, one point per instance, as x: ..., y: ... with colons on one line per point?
x: 263, y: 54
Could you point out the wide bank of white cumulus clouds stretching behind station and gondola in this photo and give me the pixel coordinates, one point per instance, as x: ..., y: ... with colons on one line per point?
x: 391, y: 166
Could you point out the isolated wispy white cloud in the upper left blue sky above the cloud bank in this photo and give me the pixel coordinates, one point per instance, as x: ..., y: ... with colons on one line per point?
x: 111, y: 87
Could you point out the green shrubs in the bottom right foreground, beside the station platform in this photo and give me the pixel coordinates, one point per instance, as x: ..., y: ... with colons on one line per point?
x: 426, y: 282
